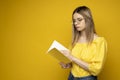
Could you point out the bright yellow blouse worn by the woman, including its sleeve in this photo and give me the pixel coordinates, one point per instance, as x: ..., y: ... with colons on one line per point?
x: 93, y: 54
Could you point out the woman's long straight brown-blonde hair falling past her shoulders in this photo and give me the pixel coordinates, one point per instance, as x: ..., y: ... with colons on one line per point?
x: 89, y: 23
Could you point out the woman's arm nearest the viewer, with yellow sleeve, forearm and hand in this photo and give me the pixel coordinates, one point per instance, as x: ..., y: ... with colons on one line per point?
x: 95, y: 65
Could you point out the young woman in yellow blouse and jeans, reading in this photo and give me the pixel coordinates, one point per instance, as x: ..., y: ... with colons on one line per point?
x: 88, y: 49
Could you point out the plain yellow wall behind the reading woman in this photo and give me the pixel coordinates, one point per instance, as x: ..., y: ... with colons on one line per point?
x: 27, y: 28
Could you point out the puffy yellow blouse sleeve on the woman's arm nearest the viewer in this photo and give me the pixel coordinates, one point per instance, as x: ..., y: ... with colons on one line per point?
x: 96, y: 64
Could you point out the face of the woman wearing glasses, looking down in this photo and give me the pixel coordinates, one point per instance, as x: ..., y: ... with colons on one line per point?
x: 79, y: 22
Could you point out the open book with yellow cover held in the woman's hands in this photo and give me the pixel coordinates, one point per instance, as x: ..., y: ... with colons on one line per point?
x: 55, y: 51
